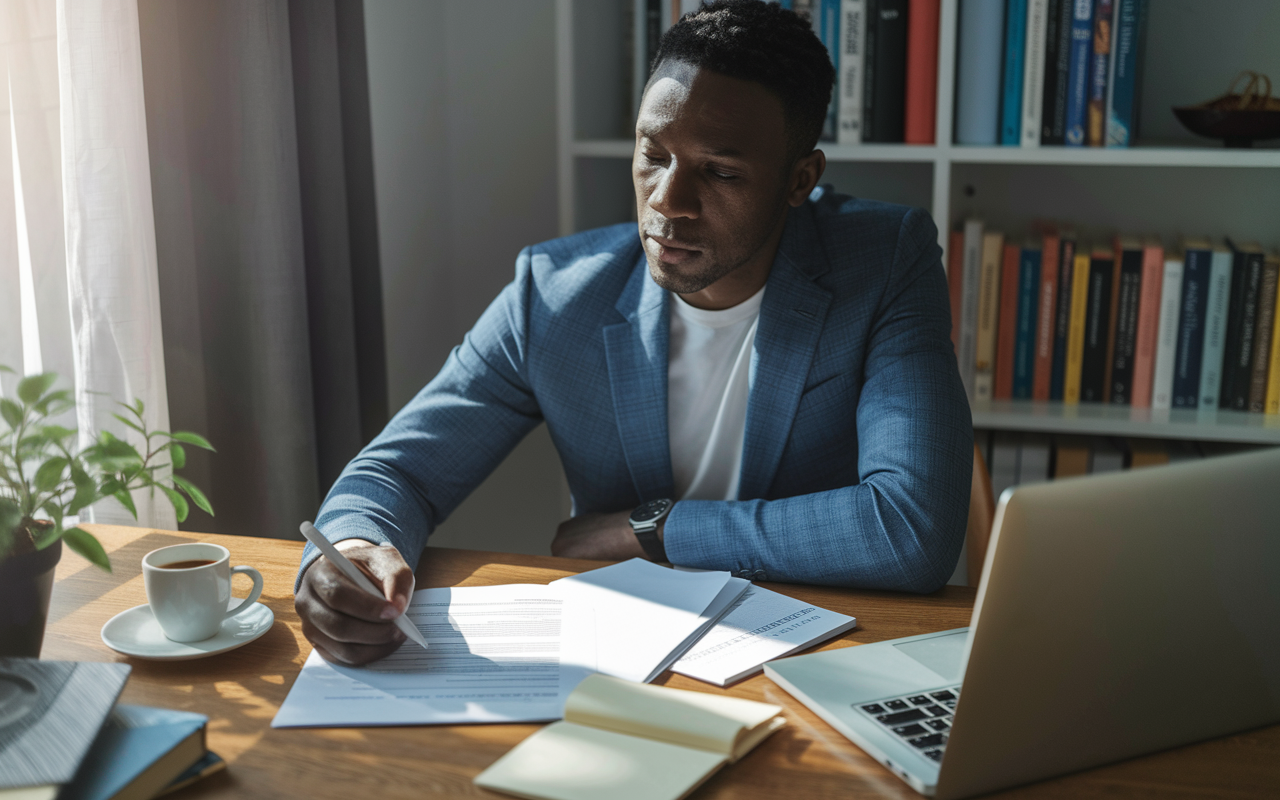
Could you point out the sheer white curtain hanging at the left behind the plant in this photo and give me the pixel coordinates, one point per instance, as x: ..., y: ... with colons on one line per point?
x: 79, y: 285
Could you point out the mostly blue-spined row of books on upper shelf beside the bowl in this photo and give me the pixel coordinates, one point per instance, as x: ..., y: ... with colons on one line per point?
x: 1049, y: 72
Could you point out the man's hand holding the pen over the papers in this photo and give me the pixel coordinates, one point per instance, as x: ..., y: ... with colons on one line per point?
x: 346, y: 624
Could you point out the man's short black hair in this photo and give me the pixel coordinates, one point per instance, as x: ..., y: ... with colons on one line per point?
x: 766, y: 44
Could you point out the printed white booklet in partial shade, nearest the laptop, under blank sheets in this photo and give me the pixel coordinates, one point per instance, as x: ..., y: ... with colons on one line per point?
x: 764, y: 625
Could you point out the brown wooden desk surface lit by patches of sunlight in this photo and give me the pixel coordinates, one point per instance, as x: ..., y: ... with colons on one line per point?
x: 241, y: 692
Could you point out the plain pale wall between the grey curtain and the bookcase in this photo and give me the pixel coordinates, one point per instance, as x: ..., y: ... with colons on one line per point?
x: 463, y: 100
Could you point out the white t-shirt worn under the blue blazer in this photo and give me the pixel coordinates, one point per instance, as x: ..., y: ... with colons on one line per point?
x: 708, y: 382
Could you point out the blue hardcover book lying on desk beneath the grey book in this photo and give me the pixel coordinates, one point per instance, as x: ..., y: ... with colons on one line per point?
x: 139, y: 753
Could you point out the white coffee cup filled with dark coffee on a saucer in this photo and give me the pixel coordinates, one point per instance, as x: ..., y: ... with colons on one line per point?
x: 190, y: 604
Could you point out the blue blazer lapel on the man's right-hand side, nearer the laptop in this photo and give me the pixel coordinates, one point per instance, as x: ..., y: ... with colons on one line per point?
x: 792, y: 322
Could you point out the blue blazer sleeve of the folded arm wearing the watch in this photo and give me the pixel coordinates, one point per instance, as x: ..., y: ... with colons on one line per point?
x: 903, y: 525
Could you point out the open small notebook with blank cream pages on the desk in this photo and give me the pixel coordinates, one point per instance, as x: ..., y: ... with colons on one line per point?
x: 632, y: 742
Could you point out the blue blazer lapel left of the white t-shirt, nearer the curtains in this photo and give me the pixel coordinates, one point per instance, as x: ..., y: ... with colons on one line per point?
x: 637, y: 356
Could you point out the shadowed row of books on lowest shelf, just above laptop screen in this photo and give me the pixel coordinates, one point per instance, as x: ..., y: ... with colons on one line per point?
x: 1016, y: 459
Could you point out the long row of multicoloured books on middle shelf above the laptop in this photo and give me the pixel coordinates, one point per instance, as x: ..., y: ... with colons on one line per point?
x: 1058, y: 319
